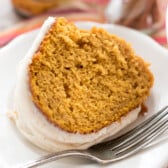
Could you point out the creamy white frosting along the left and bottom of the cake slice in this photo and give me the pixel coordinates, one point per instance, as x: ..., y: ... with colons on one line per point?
x: 34, y: 126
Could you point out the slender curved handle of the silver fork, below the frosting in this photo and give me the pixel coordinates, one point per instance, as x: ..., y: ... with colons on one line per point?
x: 55, y: 156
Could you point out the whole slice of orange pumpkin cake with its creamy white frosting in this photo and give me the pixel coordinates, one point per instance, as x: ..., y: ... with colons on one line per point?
x: 77, y: 87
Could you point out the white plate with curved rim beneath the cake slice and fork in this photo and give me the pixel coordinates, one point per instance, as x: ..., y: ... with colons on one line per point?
x: 14, y: 149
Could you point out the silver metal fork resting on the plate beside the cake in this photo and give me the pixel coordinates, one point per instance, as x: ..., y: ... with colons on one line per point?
x: 117, y: 149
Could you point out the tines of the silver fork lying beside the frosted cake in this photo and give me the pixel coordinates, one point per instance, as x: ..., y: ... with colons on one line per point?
x: 138, y: 137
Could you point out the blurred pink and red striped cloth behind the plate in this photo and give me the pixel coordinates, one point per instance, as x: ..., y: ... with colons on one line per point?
x: 84, y: 10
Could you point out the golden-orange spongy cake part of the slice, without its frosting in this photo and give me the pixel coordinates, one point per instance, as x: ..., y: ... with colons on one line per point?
x: 83, y: 80
